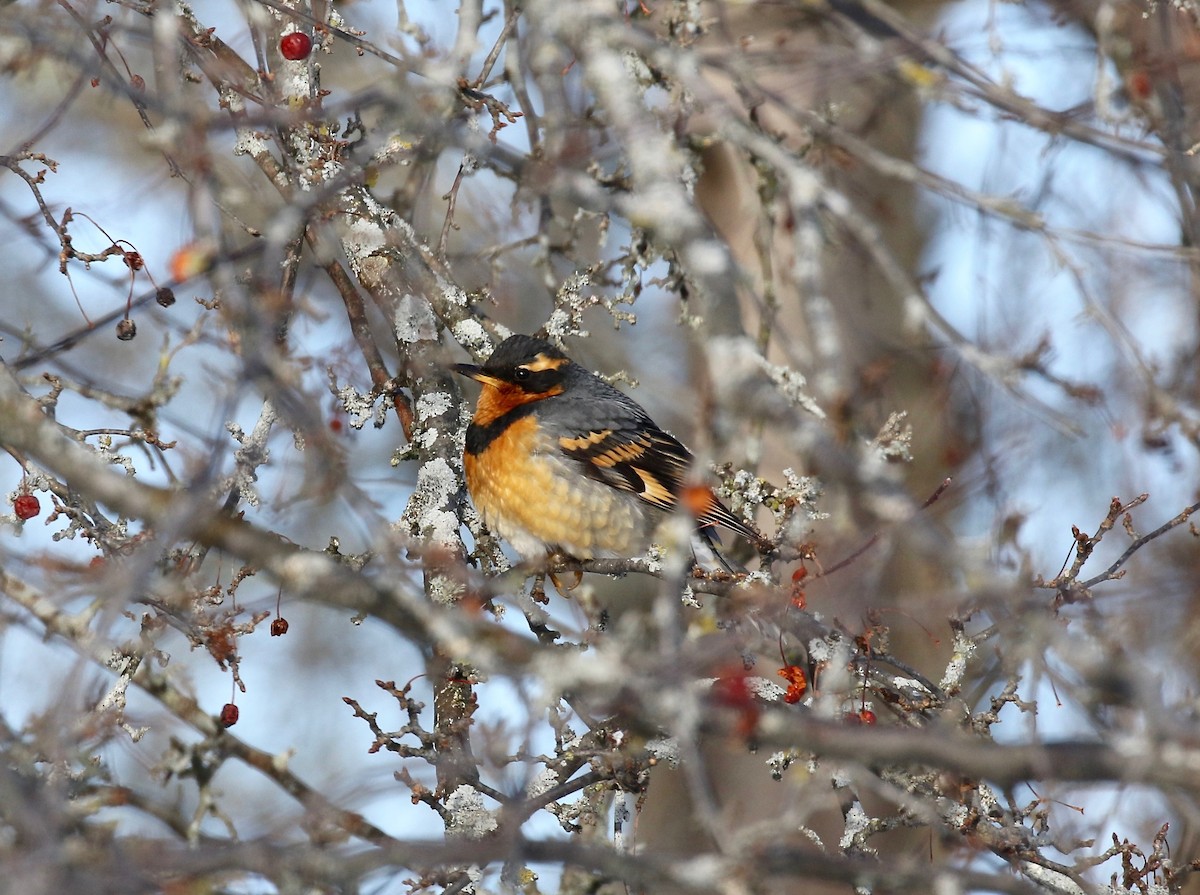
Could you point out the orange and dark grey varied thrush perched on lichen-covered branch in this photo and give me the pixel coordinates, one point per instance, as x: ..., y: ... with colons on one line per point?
x: 559, y: 461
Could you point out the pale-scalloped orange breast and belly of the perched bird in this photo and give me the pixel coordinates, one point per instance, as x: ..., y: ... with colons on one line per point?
x: 537, y: 500
